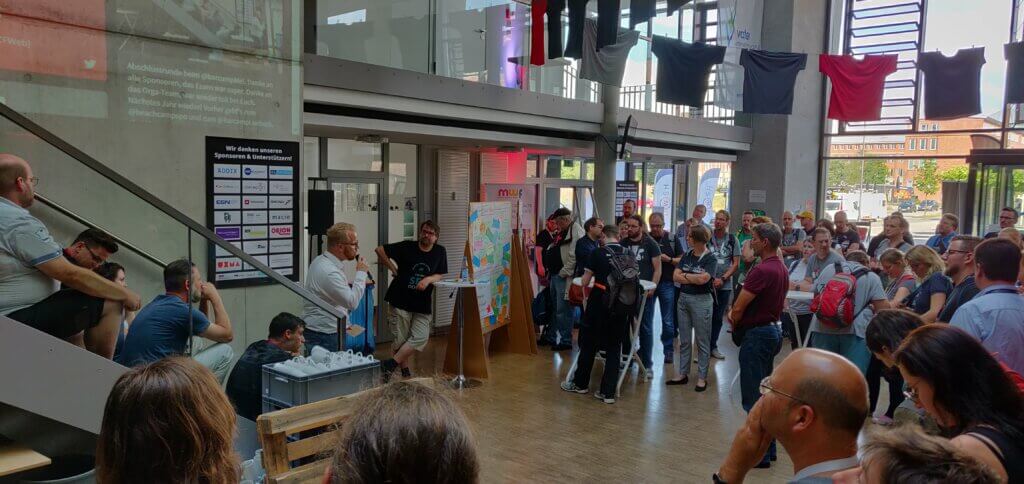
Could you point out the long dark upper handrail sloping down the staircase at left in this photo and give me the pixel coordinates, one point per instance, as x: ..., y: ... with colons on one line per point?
x: 118, y: 180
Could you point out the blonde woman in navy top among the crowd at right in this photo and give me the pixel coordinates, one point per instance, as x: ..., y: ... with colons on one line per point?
x: 933, y: 285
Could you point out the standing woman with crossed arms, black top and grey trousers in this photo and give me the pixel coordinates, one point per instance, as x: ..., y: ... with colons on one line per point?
x: 694, y: 275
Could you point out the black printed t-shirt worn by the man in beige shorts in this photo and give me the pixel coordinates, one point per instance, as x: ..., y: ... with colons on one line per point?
x: 414, y: 266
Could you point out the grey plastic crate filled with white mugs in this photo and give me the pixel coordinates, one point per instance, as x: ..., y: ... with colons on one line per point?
x: 282, y: 390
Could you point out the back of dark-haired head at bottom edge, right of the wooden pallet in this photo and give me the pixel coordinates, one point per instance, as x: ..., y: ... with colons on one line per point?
x: 405, y: 433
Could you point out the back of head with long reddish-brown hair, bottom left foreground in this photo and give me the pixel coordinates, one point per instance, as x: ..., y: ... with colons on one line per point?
x: 167, y: 422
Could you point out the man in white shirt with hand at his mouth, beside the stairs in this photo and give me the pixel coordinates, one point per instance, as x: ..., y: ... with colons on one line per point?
x: 327, y: 281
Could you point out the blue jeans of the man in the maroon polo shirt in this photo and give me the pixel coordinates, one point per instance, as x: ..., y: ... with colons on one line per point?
x: 757, y: 358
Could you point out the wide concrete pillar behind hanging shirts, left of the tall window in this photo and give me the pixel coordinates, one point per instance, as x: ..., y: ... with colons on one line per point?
x: 784, y: 160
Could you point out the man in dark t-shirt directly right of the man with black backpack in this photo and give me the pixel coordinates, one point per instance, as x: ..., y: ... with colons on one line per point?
x: 650, y: 259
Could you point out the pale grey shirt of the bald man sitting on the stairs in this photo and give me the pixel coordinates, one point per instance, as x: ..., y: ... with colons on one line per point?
x: 25, y: 244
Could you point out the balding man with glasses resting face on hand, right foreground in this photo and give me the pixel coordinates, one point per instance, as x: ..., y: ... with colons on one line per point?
x: 815, y: 405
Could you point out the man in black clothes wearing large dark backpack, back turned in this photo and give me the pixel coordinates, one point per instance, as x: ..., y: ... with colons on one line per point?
x: 603, y: 328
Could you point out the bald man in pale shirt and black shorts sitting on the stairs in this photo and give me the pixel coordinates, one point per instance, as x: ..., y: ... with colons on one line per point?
x: 89, y: 313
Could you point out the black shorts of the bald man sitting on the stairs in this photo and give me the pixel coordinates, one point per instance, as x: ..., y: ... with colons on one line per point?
x: 63, y: 315
